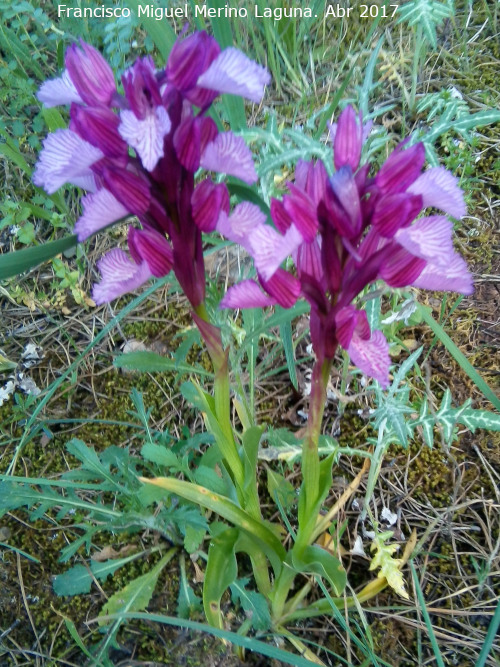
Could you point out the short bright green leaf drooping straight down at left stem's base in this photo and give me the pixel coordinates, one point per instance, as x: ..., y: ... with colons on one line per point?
x: 221, y: 572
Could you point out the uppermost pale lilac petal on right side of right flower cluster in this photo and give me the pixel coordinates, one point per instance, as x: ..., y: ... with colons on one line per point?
x: 439, y: 189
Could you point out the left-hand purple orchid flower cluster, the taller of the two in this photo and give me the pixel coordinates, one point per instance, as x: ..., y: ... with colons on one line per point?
x: 137, y: 153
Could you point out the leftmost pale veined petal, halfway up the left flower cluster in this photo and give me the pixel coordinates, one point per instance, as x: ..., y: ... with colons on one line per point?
x: 66, y: 158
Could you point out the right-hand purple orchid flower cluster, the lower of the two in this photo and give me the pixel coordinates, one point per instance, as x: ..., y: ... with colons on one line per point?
x: 346, y: 231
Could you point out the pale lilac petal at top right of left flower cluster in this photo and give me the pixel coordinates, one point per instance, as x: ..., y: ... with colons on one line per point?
x: 232, y: 72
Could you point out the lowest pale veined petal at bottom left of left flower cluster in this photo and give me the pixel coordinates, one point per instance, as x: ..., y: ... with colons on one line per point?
x: 120, y: 275
